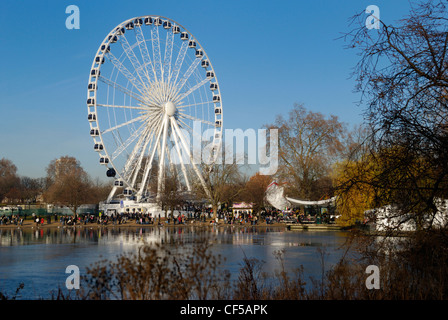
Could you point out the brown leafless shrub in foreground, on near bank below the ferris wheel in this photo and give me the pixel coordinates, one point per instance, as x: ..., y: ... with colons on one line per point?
x: 159, y: 272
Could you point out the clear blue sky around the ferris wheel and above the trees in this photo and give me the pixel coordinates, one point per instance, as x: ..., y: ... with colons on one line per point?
x: 267, y: 55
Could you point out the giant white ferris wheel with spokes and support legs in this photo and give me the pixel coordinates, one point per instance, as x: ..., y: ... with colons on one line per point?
x: 151, y: 84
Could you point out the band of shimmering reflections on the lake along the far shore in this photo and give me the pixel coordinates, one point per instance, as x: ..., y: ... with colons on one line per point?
x: 138, y: 236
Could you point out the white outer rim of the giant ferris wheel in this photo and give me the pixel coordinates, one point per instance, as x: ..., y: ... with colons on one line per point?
x: 95, y: 66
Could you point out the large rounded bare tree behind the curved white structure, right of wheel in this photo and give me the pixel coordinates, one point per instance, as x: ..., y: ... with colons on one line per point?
x: 308, y: 144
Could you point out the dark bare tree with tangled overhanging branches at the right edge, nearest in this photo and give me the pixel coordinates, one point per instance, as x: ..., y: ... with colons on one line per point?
x: 402, y: 78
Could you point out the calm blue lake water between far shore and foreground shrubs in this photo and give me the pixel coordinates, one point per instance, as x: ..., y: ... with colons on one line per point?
x: 39, y: 258
